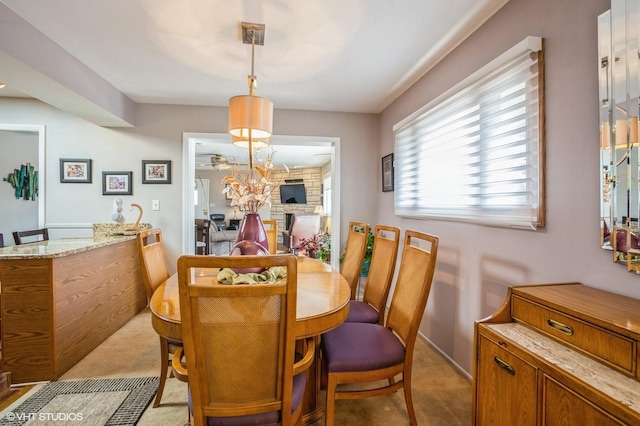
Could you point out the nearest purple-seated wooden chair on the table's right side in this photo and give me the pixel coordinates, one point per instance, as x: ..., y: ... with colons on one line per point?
x: 357, y: 353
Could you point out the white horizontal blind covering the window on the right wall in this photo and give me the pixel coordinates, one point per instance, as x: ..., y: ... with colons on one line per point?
x: 475, y: 154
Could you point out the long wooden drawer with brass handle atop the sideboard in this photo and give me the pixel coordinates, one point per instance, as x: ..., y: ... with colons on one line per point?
x: 604, y: 345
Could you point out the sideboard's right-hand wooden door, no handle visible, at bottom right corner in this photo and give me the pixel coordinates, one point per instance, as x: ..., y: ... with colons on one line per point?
x: 562, y: 406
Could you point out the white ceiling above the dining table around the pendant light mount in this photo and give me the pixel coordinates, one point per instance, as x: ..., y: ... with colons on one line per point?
x: 325, y: 55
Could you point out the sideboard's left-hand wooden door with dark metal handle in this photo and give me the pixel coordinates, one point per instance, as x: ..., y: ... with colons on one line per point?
x: 506, y: 387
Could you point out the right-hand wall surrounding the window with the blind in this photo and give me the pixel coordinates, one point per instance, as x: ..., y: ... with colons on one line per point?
x: 476, y: 264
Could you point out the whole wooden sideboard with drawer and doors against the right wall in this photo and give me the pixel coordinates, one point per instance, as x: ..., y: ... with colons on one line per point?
x: 558, y: 354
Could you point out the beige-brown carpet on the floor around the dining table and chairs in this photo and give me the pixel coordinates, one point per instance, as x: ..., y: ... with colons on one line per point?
x: 441, y: 395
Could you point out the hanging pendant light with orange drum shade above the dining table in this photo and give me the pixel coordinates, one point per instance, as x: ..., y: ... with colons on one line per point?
x: 250, y: 116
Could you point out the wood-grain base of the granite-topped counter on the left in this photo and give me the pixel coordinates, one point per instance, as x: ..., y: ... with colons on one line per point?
x: 56, y: 310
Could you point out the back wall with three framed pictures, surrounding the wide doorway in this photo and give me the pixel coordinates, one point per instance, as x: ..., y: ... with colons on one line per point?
x: 72, y: 208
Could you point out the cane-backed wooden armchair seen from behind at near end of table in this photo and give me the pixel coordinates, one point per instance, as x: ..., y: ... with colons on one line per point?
x: 239, y: 344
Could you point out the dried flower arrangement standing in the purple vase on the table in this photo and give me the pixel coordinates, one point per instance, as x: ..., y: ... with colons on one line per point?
x: 250, y: 190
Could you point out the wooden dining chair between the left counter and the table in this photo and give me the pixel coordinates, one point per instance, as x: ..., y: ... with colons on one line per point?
x: 155, y: 271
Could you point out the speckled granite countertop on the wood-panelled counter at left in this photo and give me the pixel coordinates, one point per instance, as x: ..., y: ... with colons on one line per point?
x: 58, y: 248
